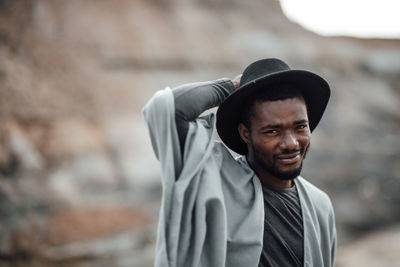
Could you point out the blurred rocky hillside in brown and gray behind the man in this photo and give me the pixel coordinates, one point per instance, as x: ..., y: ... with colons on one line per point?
x: 79, y: 185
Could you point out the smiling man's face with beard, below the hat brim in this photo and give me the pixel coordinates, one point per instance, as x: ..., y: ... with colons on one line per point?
x: 279, y: 137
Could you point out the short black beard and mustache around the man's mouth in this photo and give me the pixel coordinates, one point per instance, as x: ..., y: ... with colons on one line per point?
x: 274, y: 170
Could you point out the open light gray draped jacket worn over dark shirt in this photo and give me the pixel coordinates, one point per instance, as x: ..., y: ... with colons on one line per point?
x: 212, y: 208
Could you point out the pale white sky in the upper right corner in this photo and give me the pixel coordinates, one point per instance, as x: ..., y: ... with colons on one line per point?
x: 360, y: 18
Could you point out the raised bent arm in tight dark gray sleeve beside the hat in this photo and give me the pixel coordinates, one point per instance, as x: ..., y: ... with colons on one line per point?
x: 194, y: 98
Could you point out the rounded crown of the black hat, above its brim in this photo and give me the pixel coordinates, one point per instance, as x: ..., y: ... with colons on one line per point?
x: 262, y: 68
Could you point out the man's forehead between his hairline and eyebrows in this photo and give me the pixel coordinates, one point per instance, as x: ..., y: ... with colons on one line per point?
x: 279, y: 111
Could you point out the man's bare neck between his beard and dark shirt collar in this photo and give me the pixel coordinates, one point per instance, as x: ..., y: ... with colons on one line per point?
x: 267, y: 178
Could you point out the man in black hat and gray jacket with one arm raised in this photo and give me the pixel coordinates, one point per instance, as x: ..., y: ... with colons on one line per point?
x: 254, y: 210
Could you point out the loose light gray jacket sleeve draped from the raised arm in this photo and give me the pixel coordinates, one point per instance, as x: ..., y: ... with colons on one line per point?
x: 192, y: 222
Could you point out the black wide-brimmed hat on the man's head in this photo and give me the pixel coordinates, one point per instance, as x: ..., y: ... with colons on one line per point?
x: 257, y: 77
